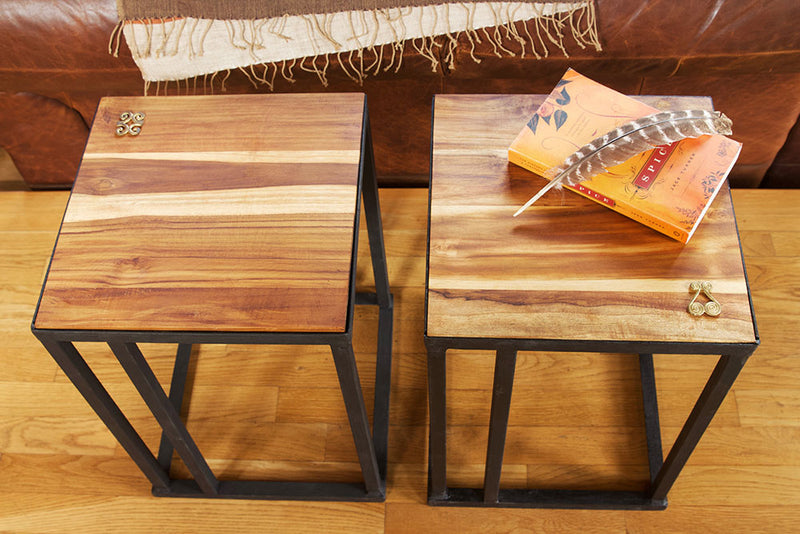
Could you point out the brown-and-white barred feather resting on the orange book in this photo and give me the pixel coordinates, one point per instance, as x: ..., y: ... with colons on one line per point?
x: 629, y: 139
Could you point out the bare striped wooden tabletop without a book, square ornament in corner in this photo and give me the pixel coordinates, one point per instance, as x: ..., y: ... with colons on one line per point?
x: 226, y: 213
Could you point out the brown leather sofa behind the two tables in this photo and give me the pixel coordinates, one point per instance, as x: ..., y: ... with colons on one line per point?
x: 55, y: 66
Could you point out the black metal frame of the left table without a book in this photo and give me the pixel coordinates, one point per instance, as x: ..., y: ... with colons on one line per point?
x: 371, y: 443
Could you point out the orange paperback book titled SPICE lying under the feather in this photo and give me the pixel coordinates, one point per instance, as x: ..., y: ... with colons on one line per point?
x: 668, y: 188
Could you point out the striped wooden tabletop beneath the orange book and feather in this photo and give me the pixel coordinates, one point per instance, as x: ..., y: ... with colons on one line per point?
x: 567, y: 268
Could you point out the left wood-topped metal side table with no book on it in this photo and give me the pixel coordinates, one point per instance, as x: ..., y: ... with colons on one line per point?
x: 220, y: 219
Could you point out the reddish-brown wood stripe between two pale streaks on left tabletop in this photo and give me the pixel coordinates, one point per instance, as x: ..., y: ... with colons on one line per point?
x: 120, y: 177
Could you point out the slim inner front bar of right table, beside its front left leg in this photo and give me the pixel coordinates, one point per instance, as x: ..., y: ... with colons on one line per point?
x: 505, y: 364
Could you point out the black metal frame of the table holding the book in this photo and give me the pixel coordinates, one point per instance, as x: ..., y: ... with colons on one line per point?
x: 663, y: 472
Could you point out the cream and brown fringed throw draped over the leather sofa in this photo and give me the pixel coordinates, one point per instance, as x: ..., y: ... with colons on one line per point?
x: 182, y: 49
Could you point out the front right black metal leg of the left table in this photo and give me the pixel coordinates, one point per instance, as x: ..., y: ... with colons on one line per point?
x: 350, y: 385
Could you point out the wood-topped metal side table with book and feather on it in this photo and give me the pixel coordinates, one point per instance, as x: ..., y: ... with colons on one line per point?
x: 567, y: 276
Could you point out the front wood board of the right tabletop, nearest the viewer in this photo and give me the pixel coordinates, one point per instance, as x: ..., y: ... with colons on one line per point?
x: 584, y: 315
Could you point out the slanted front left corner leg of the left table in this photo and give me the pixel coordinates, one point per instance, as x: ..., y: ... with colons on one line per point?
x: 74, y: 366
